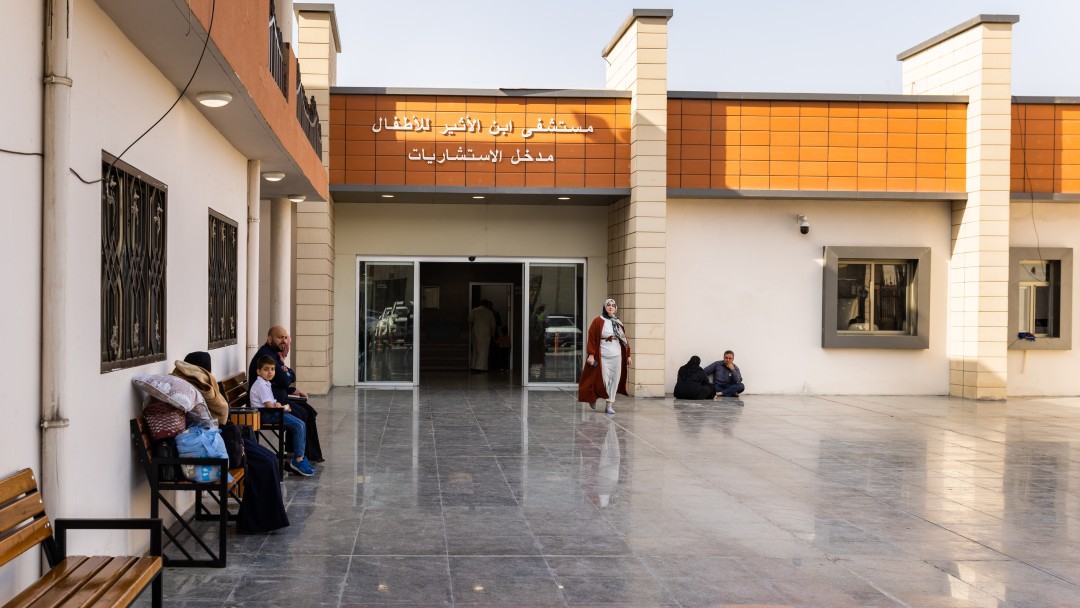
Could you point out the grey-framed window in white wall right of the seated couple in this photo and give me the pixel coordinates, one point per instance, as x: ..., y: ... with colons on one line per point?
x: 876, y: 299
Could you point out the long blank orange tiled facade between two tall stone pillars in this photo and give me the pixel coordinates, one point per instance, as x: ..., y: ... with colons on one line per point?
x: 833, y: 146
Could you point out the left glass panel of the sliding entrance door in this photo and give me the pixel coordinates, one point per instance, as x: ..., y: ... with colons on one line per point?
x: 386, y: 349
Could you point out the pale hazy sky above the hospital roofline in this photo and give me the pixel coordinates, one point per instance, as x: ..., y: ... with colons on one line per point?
x: 746, y: 46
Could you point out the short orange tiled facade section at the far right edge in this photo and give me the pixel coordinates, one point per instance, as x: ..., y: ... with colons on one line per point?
x: 1046, y: 148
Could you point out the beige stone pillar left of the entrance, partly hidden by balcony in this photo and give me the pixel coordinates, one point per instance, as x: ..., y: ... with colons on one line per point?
x: 317, y: 49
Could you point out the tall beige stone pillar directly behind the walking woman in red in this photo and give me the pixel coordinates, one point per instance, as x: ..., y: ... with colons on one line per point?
x: 638, y: 226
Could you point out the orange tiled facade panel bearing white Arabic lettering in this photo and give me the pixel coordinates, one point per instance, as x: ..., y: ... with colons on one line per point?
x: 480, y: 142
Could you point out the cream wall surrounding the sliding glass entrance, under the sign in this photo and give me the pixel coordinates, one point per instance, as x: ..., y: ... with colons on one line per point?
x: 457, y: 231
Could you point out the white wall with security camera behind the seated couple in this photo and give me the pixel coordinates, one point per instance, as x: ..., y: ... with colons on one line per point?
x: 741, y: 277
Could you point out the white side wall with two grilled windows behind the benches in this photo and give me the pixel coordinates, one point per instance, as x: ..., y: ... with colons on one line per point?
x: 117, y: 96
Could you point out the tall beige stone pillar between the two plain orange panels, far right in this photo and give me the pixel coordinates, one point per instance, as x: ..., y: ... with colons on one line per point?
x: 976, y: 60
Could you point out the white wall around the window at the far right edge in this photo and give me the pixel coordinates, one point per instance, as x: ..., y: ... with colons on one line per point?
x: 1047, y: 373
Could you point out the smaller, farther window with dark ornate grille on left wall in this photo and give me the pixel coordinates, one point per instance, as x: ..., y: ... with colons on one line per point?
x: 222, y: 331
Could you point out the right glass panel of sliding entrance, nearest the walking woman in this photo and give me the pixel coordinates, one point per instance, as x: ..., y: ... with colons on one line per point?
x: 555, y: 301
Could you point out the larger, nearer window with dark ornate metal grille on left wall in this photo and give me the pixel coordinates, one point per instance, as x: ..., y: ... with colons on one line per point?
x: 134, y: 215
